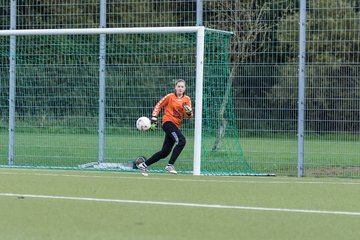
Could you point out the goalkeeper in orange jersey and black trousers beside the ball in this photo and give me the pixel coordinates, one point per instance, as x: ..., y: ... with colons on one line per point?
x: 176, y: 106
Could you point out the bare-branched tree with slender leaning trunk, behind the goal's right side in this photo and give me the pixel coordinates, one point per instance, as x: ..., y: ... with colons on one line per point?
x: 252, y: 30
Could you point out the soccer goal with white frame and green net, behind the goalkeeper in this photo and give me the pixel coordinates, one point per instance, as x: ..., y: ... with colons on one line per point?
x: 70, y: 99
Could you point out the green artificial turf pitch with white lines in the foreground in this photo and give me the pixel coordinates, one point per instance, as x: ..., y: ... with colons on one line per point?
x: 45, y: 204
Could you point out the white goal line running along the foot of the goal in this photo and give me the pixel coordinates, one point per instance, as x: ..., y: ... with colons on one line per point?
x: 242, y: 179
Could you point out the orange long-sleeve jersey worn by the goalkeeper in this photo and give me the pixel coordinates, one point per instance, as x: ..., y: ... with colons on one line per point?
x: 174, y: 110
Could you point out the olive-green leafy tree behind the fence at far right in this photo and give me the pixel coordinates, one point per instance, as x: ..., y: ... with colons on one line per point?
x: 332, y: 55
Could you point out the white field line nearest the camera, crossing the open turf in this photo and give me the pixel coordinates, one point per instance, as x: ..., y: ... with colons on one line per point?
x: 180, y: 204
